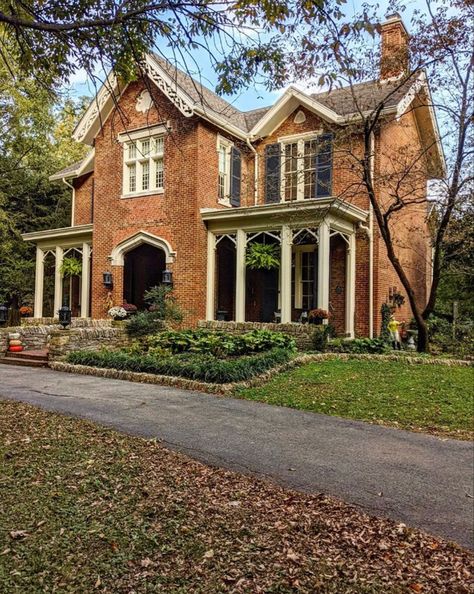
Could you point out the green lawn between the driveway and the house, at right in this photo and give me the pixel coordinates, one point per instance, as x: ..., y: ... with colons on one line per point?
x: 431, y: 398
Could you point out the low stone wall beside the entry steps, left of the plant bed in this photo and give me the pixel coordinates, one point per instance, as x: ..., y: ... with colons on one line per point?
x: 63, y: 342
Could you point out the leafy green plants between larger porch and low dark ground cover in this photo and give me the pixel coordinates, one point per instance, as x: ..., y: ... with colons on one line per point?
x: 219, y: 344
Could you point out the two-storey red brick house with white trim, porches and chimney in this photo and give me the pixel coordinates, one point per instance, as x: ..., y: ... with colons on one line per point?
x: 179, y: 180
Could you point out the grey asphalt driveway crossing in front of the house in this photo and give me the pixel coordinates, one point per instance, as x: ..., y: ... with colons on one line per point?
x: 423, y: 481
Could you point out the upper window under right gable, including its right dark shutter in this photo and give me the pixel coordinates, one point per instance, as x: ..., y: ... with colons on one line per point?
x: 306, y: 169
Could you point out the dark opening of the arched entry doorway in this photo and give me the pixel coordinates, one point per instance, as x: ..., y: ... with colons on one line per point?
x: 143, y: 269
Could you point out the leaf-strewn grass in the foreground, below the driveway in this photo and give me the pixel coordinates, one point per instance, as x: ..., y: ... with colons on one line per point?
x: 85, y: 509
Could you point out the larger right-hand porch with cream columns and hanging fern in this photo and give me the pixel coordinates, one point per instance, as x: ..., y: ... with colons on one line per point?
x: 315, y: 248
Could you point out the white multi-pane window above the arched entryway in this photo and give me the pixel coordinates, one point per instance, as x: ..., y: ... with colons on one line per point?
x: 143, y: 165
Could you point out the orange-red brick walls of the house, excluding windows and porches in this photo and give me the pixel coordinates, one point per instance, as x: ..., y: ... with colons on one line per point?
x: 191, y: 183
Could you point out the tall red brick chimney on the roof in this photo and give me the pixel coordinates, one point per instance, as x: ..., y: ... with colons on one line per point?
x: 394, y: 59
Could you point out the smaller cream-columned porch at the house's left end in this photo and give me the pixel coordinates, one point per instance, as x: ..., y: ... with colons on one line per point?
x: 52, y: 288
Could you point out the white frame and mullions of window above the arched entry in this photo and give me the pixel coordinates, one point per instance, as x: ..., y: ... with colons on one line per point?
x: 155, y: 156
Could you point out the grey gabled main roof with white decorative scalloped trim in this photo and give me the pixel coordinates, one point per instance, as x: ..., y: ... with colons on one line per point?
x: 338, y: 106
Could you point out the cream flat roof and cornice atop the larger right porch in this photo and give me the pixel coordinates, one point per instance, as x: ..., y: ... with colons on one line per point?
x: 295, y: 214
